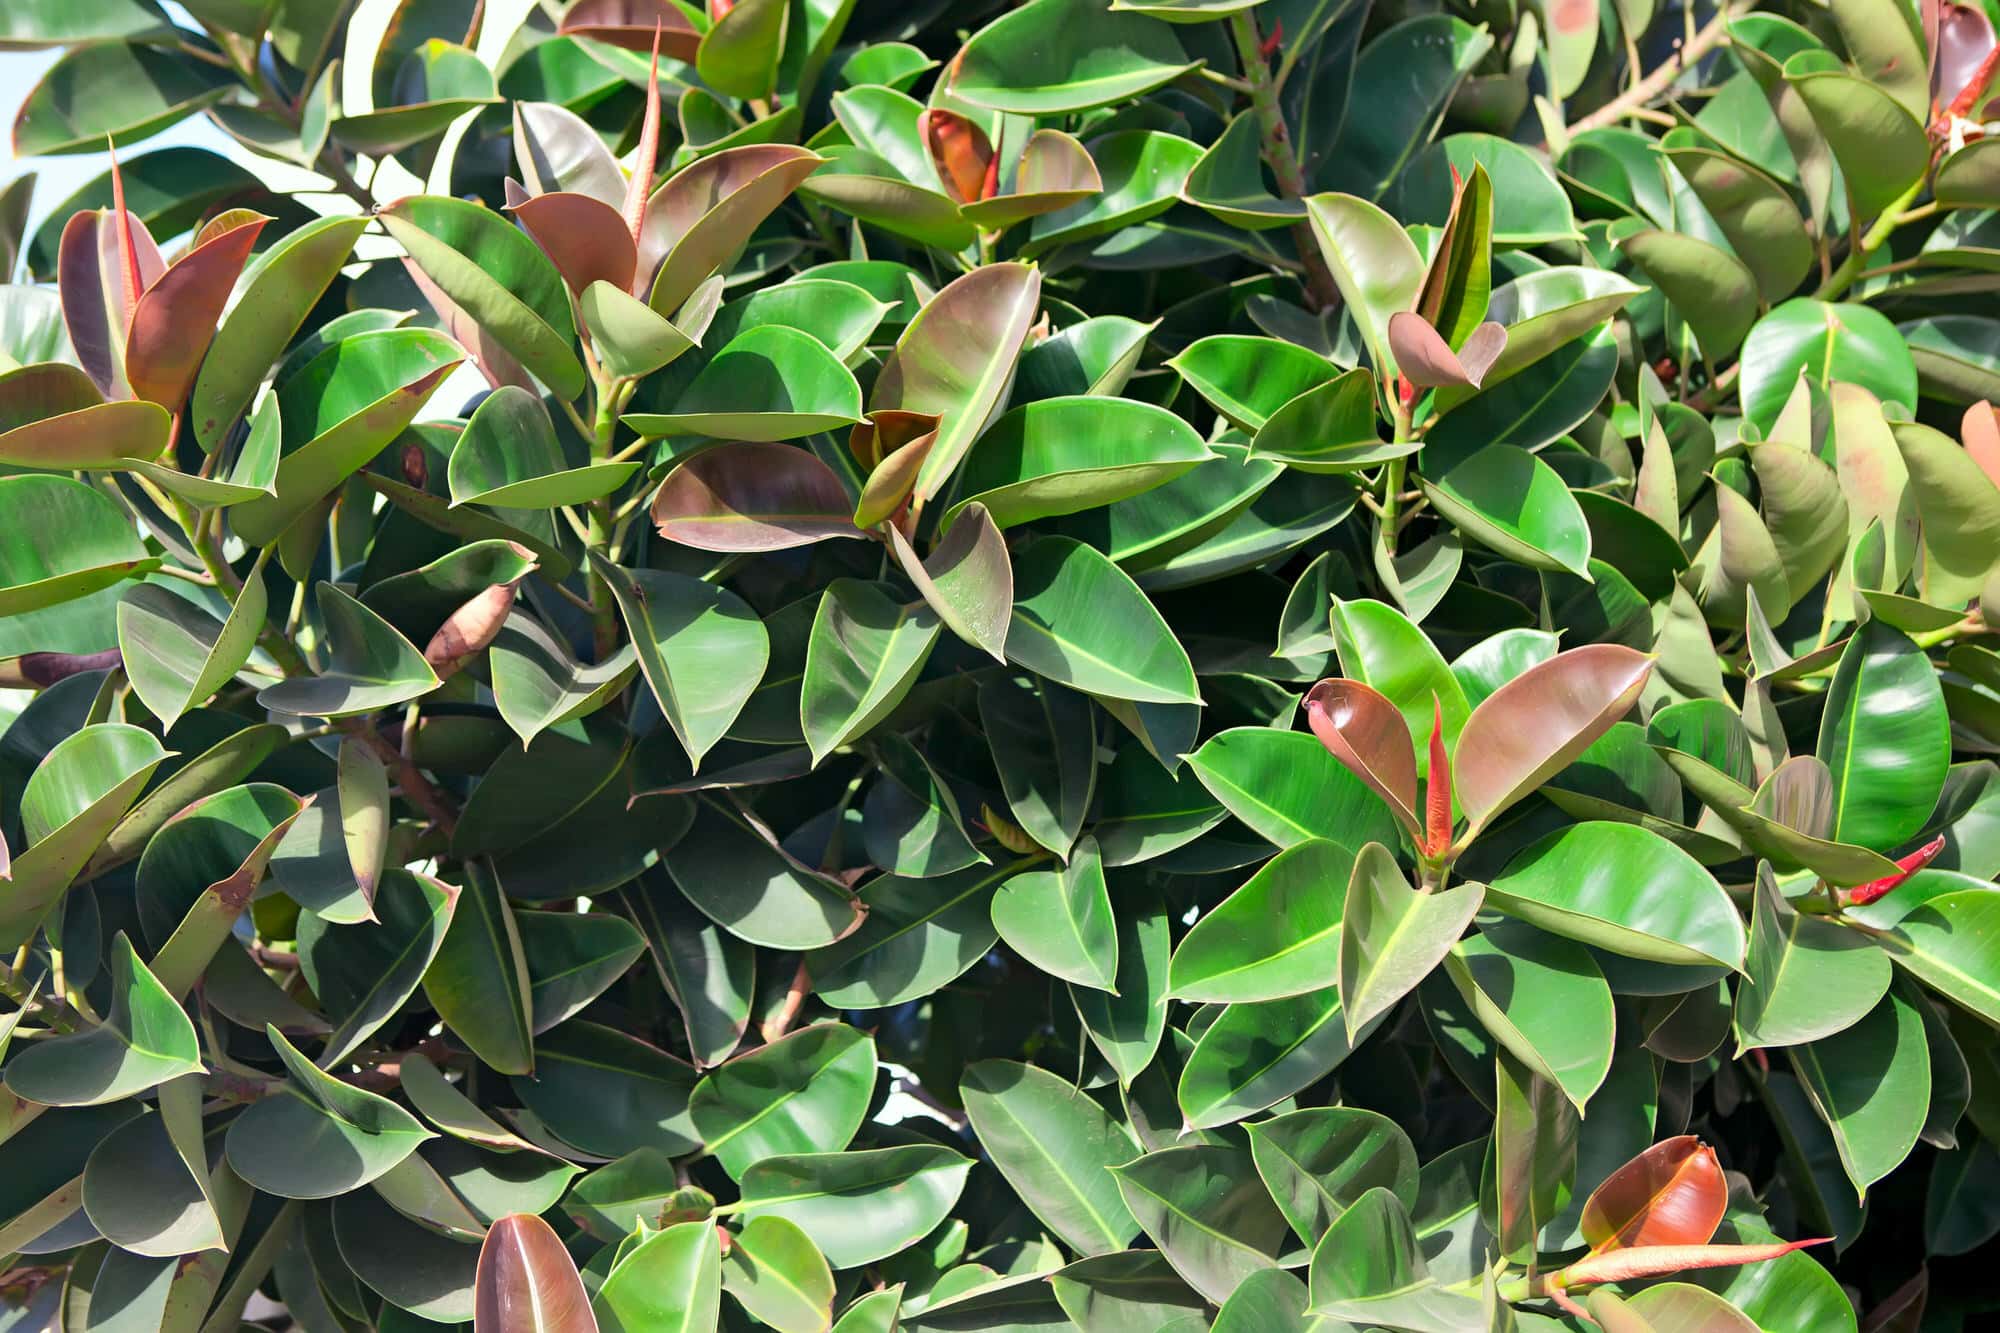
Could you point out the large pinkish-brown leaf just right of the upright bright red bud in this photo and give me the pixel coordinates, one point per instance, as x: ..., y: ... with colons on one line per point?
x: 1541, y: 722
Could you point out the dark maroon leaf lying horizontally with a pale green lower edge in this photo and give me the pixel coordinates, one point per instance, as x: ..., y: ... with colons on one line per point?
x: 753, y: 497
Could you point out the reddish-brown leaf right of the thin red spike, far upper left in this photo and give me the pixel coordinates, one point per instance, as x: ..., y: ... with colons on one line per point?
x: 177, y: 315
